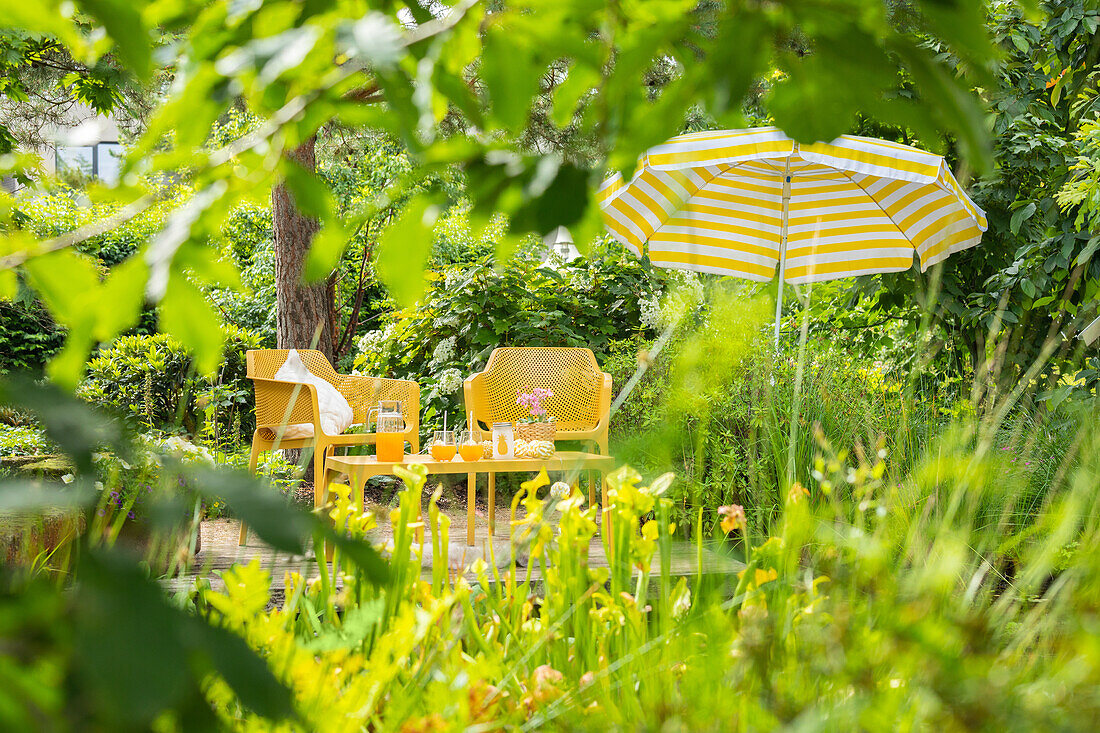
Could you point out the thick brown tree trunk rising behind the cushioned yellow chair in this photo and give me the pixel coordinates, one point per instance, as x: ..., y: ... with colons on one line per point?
x: 303, y: 313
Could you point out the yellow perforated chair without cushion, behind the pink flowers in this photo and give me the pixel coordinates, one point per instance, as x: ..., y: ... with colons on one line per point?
x: 582, y: 393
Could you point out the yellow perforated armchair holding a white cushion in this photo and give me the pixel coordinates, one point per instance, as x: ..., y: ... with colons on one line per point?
x: 280, y: 404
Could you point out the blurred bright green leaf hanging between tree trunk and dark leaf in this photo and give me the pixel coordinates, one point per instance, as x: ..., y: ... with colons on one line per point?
x: 403, y: 251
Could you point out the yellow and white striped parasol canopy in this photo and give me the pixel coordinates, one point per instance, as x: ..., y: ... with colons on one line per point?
x: 744, y: 202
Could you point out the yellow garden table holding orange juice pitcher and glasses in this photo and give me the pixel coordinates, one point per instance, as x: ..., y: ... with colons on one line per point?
x: 361, y: 468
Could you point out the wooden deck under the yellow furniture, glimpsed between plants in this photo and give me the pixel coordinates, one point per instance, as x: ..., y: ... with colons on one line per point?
x: 221, y: 552
